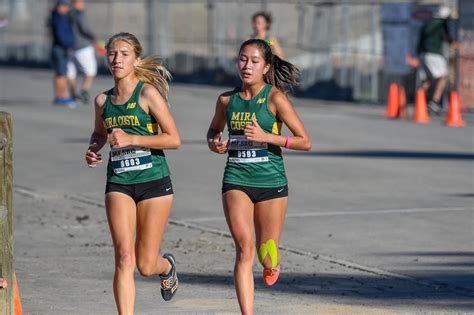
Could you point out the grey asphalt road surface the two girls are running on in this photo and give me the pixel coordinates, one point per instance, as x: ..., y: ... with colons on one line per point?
x: 380, y: 217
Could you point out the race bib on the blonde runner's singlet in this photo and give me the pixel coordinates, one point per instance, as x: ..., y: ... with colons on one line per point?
x: 130, y: 159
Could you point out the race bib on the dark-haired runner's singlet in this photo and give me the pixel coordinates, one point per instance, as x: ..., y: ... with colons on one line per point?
x: 242, y: 150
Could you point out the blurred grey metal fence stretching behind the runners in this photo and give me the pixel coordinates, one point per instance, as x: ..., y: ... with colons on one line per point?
x: 336, y: 44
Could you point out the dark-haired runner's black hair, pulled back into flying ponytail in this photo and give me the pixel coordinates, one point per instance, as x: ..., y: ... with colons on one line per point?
x: 282, y: 74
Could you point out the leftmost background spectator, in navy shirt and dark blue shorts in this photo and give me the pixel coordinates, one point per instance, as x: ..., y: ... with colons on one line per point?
x: 63, y: 48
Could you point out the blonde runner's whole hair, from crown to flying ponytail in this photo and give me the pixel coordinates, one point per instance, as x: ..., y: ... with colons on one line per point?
x: 150, y: 69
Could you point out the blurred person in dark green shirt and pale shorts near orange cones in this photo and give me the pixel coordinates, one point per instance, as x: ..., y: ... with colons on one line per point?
x: 434, y: 65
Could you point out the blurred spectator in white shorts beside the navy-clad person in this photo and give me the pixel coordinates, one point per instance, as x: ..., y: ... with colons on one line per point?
x: 83, y: 59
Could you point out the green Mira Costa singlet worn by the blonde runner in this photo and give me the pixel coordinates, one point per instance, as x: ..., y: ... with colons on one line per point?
x: 133, y: 165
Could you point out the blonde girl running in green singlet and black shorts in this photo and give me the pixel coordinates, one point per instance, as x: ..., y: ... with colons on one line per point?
x: 139, y: 192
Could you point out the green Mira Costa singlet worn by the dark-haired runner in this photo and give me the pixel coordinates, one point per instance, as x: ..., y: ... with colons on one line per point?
x: 252, y: 163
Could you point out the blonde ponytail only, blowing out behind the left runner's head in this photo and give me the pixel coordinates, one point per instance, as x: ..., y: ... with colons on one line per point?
x: 150, y: 70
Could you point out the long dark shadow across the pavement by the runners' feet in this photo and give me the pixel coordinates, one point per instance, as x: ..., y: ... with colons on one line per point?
x: 350, y: 287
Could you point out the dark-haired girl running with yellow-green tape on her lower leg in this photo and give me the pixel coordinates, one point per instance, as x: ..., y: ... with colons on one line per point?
x: 255, y: 186
